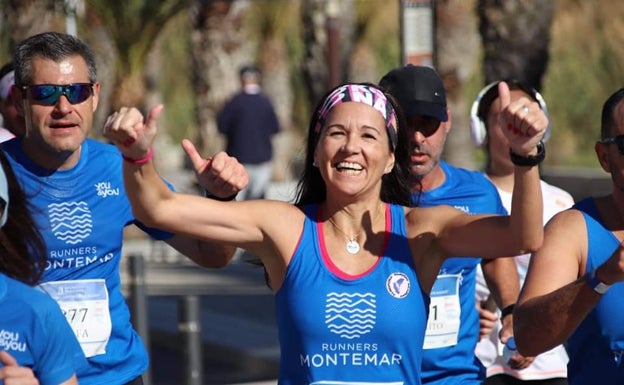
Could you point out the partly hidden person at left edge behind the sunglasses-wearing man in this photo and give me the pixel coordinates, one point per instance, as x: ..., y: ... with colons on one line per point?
x: 12, y: 123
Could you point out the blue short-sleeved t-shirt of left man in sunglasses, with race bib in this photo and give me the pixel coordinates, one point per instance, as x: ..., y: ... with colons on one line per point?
x: 81, y: 213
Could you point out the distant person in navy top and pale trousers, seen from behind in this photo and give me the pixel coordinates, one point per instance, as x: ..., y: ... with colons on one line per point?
x: 248, y: 121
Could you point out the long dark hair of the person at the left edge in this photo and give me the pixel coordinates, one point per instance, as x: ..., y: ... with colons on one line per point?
x: 22, y: 249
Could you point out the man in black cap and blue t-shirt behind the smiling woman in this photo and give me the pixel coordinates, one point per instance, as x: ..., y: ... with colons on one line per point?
x: 453, y: 324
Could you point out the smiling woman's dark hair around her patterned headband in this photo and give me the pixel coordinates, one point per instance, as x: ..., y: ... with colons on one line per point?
x: 394, y: 188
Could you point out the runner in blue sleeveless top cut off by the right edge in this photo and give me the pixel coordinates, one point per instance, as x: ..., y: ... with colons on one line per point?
x: 573, y: 292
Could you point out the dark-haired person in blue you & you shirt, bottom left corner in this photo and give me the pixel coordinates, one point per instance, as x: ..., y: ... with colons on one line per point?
x: 37, y: 346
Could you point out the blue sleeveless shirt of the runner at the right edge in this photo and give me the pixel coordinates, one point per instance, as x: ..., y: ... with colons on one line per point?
x: 599, y: 339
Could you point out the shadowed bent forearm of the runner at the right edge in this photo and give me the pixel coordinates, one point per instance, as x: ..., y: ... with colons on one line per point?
x: 543, y: 322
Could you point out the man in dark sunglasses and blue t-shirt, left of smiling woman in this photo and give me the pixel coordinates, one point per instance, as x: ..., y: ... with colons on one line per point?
x: 77, y: 187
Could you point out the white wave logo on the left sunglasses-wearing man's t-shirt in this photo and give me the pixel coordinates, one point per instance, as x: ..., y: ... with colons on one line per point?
x: 70, y: 221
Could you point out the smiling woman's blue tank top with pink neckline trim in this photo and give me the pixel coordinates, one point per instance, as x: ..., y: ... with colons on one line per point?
x: 335, y: 328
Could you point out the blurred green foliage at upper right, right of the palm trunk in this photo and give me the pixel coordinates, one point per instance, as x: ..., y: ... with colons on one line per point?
x: 584, y: 69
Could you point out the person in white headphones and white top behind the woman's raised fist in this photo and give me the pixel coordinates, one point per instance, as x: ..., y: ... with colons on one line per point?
x: 549, y: 368
